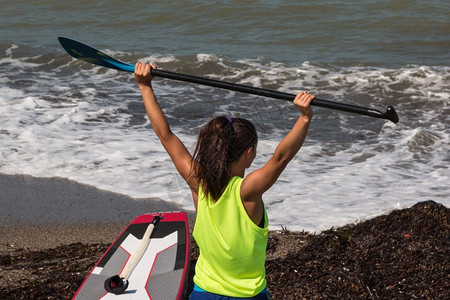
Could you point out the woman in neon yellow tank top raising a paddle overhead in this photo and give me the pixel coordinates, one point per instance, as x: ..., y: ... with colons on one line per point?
x: 231, y: 225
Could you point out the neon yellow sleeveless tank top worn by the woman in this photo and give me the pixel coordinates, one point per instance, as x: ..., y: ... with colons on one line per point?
x: 232, y: 247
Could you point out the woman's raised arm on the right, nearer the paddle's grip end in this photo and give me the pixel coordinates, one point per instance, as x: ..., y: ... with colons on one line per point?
x: 259, y: 181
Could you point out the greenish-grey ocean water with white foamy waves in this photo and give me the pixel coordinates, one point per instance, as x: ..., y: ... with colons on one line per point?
x: 62, y: 117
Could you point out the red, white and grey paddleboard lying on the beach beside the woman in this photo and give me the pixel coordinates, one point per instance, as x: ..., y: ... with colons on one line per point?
x: 149, y: 260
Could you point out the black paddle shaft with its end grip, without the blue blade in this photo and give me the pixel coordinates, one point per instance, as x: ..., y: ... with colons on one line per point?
x: 390, y: 113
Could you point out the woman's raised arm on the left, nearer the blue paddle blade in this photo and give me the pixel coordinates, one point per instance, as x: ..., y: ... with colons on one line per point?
x: 173, y: 145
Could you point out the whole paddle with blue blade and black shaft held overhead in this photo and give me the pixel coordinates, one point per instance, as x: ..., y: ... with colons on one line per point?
x: 91, y: 55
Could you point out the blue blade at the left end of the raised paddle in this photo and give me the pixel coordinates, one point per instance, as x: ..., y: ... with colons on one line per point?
x: 91, y: 55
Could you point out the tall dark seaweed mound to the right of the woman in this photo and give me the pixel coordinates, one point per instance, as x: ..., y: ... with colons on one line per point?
x: 404, y: 255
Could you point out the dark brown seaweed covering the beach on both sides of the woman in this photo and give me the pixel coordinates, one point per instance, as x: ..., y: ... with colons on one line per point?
x: 403, y: 255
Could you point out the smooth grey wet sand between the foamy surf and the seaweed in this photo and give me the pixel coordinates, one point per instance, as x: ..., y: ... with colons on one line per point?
x: 42, y: 213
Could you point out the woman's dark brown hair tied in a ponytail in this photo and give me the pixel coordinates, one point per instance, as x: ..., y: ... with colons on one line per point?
x: 221, y: 142
